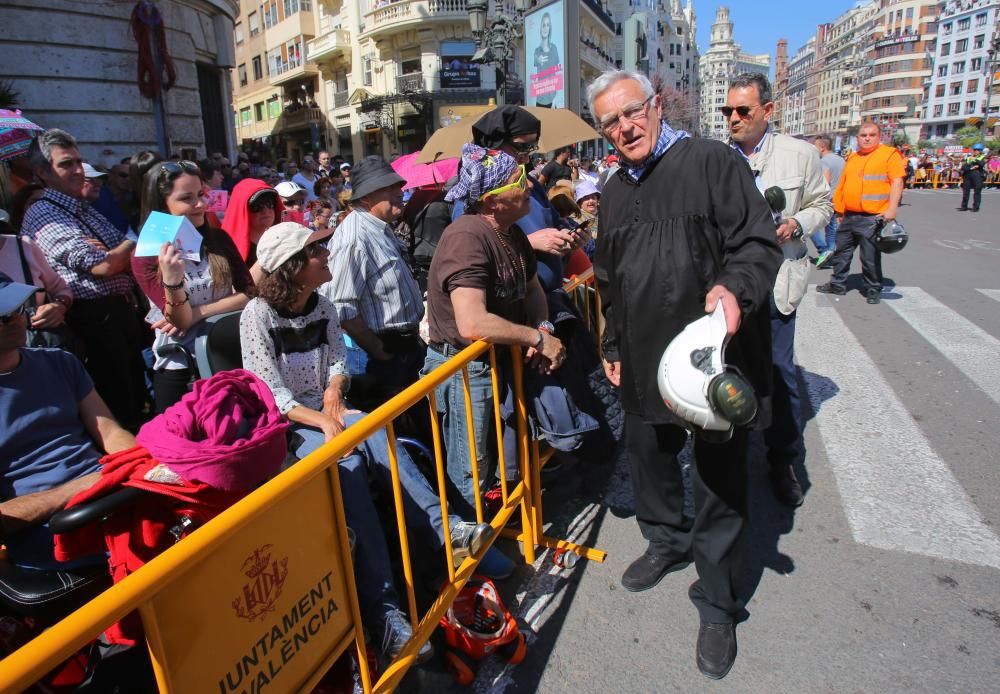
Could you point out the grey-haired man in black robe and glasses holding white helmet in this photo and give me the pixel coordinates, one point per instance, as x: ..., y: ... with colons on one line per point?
x: 683, y: 227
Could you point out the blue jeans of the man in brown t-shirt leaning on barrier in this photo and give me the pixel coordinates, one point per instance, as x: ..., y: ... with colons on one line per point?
x: 451, y: 403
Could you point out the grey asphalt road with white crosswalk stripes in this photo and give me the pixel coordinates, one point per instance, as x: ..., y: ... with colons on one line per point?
x: 887, y: 579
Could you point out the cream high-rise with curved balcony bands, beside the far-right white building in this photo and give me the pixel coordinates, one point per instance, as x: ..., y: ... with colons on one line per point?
x: 904, y: 34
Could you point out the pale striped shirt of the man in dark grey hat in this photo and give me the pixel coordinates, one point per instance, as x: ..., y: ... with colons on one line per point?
x: 370, y: 277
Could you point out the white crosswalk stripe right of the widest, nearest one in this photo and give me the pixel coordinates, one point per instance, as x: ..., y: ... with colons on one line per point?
x: 970, y: 348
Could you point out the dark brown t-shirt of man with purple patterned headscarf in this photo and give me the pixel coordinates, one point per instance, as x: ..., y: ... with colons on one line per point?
x: 471, y: 254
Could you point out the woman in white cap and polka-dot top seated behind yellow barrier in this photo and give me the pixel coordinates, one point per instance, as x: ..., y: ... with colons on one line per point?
x: 291, y: 339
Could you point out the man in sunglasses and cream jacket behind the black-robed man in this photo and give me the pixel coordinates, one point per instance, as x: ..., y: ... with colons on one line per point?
x: 794, y: 166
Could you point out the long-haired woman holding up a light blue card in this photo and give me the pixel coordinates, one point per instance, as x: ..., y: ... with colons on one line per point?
x: 182, y: 291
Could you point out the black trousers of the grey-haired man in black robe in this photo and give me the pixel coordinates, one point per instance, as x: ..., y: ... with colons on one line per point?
x: 715, y: 537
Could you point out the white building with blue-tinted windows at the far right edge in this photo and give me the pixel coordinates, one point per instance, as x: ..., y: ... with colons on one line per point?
x: 957, y: 92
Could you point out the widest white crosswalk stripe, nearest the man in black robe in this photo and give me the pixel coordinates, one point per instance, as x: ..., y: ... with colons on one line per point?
x: 897, y: 493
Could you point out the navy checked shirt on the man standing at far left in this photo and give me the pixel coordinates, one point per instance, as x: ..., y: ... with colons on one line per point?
x: 61, y: 226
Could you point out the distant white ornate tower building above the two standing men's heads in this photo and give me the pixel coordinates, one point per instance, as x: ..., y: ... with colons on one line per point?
x: 723, y: 61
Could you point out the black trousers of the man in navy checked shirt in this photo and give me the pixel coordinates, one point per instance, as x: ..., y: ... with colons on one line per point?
x: 110, y: 329
